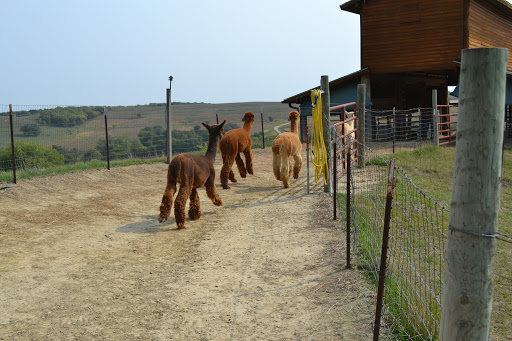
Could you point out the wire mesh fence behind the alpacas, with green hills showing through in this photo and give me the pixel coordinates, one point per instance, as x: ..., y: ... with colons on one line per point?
x: 49, y: 136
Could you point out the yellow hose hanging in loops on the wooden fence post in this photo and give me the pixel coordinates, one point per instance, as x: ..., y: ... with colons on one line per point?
x: 318, y: 152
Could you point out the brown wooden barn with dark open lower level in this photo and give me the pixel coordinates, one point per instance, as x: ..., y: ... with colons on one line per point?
x: 410, y: 47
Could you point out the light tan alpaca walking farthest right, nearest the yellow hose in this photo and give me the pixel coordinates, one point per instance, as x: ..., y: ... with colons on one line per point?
x: 285, y: 147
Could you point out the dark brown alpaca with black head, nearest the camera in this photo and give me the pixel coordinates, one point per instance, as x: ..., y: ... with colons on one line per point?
x: 191, y: 172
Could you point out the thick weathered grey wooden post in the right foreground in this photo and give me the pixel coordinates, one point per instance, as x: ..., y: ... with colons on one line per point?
x: 473, y: 223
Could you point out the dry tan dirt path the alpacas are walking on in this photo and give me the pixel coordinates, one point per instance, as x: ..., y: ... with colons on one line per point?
x: 82, y: 257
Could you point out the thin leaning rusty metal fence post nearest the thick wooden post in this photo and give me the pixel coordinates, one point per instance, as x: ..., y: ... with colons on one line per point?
x: 384, y: 252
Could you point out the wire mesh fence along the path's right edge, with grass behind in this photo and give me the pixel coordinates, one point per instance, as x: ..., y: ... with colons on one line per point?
x: 416, y: 248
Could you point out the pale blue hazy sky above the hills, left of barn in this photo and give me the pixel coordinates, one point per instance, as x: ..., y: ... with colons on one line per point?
x: 112, y: 52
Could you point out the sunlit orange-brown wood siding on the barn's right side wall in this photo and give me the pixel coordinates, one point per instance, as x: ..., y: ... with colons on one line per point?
x: 489, y: 27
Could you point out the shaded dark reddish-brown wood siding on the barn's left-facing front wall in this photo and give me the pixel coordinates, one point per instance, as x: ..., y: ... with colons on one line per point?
x: 411, y: 35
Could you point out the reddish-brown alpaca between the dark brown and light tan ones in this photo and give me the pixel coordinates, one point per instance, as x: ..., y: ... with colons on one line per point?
x: 233, y: 143
